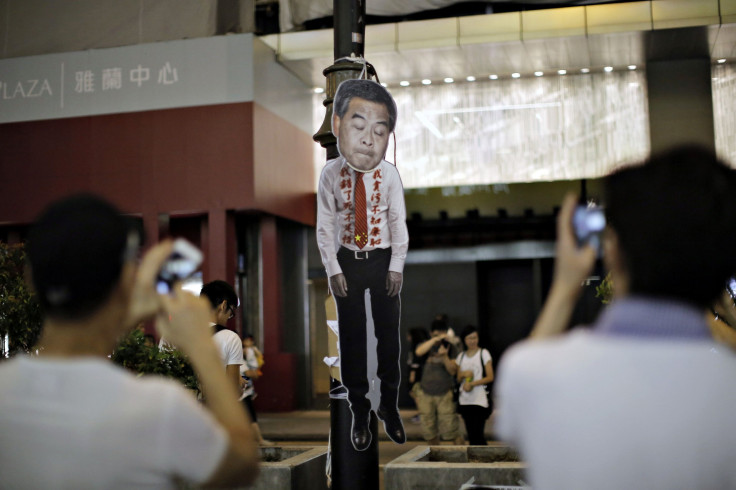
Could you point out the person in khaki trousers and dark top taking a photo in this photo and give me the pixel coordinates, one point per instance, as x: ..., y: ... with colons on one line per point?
x: 435, y: 391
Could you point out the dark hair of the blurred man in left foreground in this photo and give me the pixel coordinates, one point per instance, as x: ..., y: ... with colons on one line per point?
x: 76, y: 251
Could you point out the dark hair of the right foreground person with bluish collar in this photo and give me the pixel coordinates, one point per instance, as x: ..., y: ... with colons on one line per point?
x: 675, y: 217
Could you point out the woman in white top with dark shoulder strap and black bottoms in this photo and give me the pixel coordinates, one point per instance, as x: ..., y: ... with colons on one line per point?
x: 475, y: 370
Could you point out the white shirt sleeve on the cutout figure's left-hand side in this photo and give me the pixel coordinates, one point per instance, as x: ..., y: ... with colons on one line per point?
x: 326, y: 222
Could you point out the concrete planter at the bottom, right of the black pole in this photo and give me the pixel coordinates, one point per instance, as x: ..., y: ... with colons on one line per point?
x: 449, y: 467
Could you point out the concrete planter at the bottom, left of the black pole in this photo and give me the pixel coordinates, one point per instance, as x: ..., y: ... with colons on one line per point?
x: 294, y: 467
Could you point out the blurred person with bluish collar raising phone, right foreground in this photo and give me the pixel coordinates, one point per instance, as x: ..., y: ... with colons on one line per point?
x: 643, y: 399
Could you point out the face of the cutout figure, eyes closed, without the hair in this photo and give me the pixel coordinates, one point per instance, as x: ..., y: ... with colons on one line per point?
x: 362, y: 133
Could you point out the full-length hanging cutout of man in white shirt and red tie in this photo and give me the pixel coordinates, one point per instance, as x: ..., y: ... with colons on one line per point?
x: 363, y: 240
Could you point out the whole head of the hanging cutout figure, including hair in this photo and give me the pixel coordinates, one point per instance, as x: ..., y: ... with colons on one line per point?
x: 364, y: 115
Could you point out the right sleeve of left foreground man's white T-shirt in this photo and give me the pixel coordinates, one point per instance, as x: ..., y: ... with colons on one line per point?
x: 193, y: 444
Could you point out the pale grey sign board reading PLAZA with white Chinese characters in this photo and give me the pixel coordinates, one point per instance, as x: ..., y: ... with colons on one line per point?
x: 205, y: 71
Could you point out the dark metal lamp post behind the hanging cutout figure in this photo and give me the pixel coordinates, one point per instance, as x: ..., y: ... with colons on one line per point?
x: 351, y: 469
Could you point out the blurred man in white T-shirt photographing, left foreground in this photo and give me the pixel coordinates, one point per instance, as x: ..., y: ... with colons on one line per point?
x: 72, y: 419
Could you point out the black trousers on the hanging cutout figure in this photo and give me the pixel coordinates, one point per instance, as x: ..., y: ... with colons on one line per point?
x: 368, y: 270
